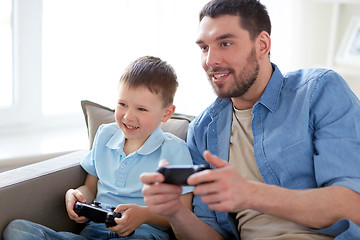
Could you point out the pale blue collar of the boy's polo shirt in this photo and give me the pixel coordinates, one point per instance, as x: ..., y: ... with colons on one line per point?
x: 155, y: 140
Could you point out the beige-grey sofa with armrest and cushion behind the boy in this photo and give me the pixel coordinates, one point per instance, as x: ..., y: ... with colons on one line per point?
x: 36, y: 192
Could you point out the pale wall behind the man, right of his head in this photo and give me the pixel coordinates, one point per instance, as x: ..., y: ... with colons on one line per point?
x: 302, y: 35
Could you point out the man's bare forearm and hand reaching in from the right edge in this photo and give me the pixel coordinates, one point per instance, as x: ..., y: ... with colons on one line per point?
x: 224, y: 189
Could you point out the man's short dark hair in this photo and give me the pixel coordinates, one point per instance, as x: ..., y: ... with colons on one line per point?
x: 253, y: 15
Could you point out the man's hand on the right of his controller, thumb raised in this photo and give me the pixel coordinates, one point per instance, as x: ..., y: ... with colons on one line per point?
x: 223, y: 189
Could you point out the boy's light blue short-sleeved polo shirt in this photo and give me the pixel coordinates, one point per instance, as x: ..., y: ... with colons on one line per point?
x: 119, y: 174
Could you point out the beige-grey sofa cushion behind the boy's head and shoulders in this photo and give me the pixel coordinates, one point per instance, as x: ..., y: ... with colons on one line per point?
x: 96, y: 114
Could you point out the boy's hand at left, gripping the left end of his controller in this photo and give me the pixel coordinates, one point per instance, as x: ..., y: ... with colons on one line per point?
x: 71, y: 196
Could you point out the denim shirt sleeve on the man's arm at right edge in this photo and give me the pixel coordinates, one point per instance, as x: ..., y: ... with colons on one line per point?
x: 335, y: 114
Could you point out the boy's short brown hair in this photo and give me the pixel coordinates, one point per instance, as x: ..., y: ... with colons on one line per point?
x: 156, y: 75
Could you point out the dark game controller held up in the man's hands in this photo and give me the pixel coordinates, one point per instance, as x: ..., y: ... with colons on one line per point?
x: 178, y: 174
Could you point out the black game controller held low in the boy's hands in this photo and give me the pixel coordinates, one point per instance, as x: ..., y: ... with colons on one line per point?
x: 96, y: 213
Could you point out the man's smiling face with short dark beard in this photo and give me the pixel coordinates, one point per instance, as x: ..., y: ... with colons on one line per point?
x: 228, y: 55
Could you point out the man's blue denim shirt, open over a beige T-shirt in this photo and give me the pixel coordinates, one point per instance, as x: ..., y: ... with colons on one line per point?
x: 306, y: 128
